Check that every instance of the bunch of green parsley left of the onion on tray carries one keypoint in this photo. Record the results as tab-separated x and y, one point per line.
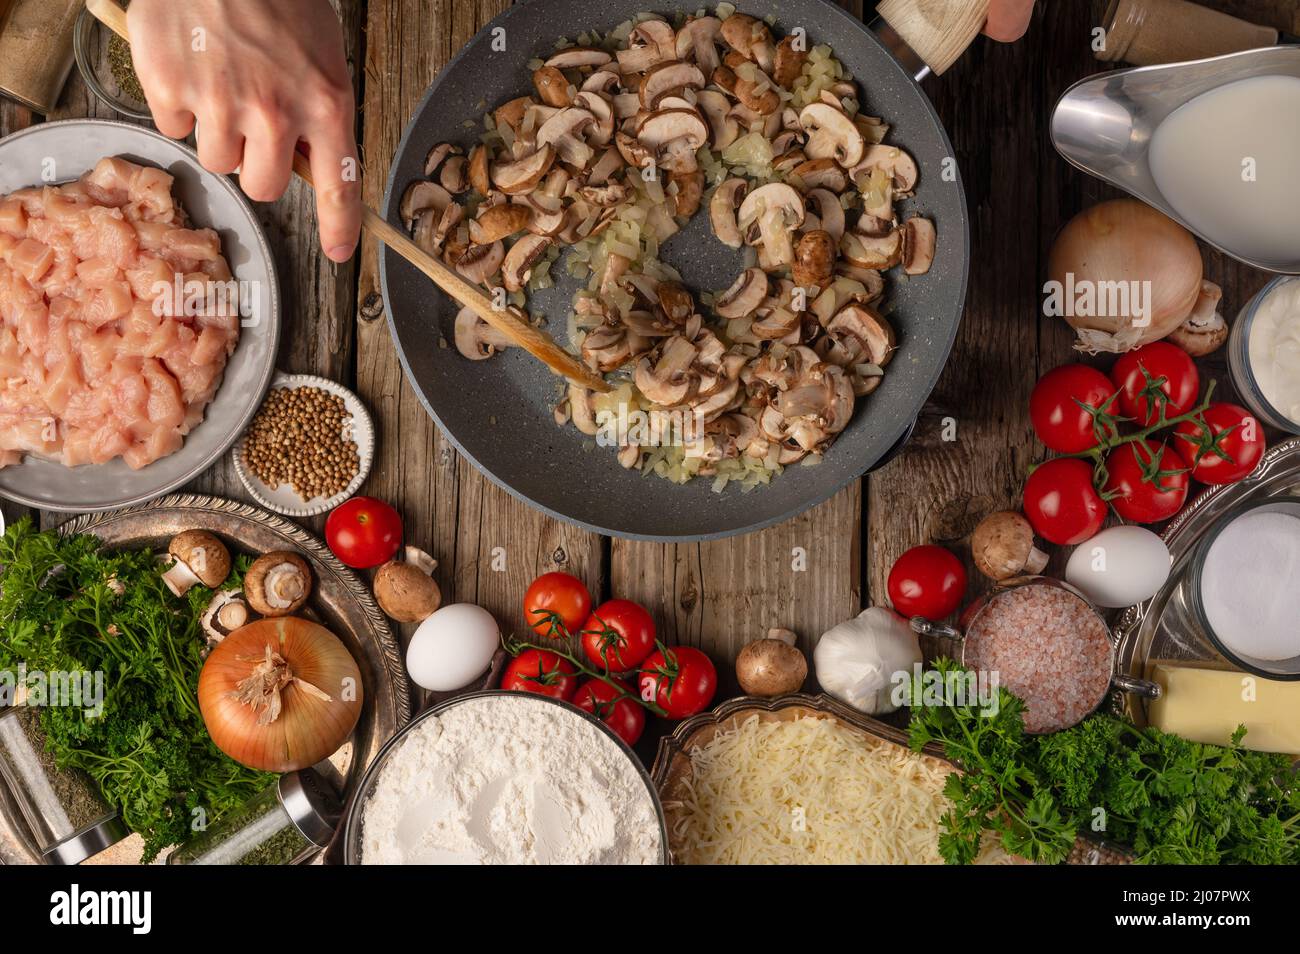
70	605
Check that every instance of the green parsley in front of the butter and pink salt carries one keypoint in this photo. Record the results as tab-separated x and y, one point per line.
1168	800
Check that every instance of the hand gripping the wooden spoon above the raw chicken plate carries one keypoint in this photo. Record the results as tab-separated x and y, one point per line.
259	76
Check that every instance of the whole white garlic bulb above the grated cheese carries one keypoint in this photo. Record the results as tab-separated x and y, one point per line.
856	661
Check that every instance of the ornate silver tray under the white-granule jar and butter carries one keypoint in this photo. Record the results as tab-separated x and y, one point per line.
1163	628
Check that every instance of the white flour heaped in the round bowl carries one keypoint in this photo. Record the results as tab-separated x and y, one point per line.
509	780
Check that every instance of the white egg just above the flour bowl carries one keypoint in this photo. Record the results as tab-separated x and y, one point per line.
453	648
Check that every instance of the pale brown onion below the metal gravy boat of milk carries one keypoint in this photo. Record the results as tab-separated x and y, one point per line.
1128	242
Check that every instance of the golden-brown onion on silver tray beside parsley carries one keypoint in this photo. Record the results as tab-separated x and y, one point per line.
280	695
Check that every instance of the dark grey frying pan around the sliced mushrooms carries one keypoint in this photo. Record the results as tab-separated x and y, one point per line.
500	413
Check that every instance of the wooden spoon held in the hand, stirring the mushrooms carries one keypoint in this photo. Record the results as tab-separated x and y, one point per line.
526	336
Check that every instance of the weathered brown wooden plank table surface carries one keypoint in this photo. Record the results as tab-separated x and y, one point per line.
970	452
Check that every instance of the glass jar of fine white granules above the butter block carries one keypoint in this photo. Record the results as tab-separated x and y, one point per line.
1243	587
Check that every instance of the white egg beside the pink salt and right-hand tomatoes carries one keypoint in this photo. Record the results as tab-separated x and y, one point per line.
1120	567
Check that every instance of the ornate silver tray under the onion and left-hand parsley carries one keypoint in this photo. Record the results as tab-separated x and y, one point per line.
340	602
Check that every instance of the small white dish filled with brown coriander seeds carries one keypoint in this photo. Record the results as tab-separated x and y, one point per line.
309	449
